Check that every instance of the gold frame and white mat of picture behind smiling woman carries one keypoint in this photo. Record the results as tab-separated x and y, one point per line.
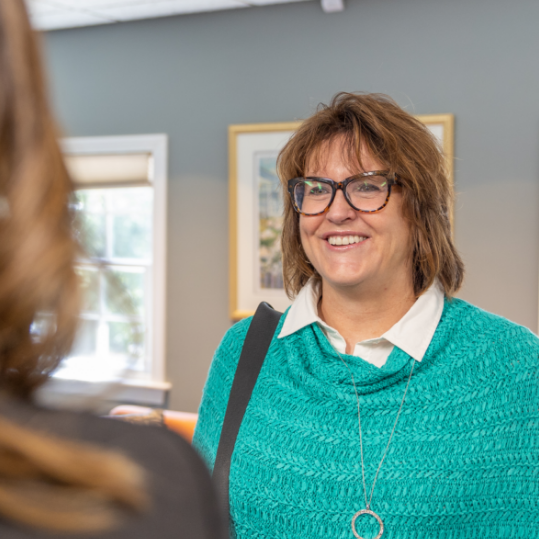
248	146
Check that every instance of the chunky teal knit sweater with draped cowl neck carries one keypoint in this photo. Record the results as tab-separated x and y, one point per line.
464	460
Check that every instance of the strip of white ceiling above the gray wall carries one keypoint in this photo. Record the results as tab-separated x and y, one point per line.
57	14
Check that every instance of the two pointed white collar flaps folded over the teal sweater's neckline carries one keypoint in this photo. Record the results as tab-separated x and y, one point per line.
412	333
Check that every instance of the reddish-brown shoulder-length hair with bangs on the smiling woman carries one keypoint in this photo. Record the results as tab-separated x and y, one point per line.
405	147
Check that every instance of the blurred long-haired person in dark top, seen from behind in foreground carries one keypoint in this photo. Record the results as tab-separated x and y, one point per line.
64	474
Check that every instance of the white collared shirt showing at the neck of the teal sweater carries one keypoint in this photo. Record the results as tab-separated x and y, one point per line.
412	333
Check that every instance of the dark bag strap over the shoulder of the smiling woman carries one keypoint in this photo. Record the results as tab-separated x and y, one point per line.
255	348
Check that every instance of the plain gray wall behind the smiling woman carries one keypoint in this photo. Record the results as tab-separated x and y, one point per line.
191	76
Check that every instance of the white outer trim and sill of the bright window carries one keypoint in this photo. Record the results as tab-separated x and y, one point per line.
153	390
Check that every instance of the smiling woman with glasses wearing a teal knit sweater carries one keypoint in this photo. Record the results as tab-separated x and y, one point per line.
384	405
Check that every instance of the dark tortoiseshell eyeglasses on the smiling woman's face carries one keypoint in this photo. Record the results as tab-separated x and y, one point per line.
367	192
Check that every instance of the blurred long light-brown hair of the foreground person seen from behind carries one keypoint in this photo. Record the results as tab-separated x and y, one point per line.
45	482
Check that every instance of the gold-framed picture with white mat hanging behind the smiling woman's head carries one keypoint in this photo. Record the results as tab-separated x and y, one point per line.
256	207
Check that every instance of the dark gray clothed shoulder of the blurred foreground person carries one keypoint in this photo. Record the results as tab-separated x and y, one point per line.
182	501
